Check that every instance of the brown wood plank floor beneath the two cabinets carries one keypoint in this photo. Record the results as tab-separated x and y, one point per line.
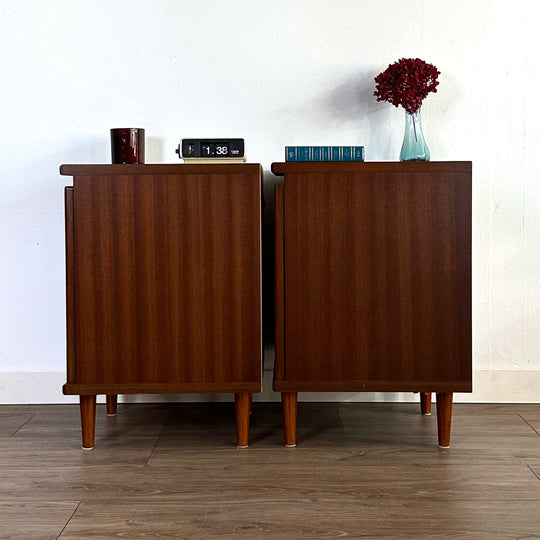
360	470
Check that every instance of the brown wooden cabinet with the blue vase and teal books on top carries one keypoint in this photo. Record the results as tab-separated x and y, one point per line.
373	282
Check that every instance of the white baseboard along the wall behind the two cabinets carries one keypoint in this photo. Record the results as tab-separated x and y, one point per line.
488	387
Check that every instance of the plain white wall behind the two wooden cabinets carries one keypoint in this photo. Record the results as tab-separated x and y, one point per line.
275	72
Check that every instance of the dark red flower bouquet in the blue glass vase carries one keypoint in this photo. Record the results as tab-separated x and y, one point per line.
406	82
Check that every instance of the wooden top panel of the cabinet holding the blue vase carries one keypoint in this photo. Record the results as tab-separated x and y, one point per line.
371	167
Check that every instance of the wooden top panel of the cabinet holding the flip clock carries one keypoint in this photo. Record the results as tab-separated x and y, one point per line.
160	169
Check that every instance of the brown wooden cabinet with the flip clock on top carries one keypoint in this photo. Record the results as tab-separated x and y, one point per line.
163	283
